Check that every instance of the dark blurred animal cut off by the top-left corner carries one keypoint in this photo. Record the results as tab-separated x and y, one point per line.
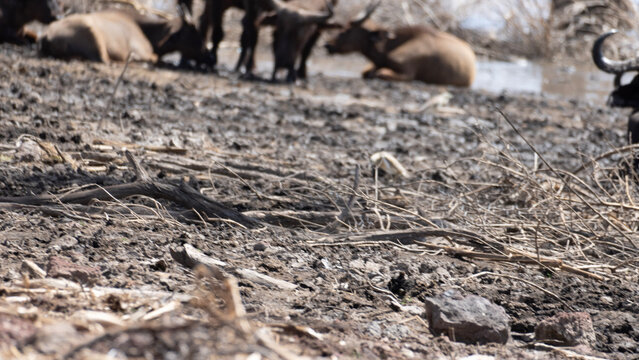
14	14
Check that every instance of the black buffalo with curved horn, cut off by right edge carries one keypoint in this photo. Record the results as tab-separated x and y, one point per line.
623	95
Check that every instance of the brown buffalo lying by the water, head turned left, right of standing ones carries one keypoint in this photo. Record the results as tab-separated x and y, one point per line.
407	53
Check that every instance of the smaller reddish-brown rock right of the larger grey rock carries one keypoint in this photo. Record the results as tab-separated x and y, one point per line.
569	329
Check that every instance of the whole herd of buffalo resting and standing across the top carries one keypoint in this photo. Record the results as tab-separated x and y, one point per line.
402	54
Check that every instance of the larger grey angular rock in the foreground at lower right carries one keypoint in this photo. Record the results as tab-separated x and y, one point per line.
469	319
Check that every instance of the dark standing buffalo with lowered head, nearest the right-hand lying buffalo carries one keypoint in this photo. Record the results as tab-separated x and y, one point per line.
298	25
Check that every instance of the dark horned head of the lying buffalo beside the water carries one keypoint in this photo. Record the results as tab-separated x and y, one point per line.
355	36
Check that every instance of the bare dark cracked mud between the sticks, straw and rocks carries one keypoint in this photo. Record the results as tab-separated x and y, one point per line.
322	128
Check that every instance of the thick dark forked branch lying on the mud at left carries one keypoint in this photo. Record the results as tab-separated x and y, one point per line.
182	194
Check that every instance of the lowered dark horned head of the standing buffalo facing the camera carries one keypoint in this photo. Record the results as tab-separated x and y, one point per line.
293	27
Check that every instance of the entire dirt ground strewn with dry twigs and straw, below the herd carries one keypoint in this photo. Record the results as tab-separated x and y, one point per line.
344	258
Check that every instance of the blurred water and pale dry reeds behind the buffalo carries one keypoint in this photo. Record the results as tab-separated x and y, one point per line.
531	46
